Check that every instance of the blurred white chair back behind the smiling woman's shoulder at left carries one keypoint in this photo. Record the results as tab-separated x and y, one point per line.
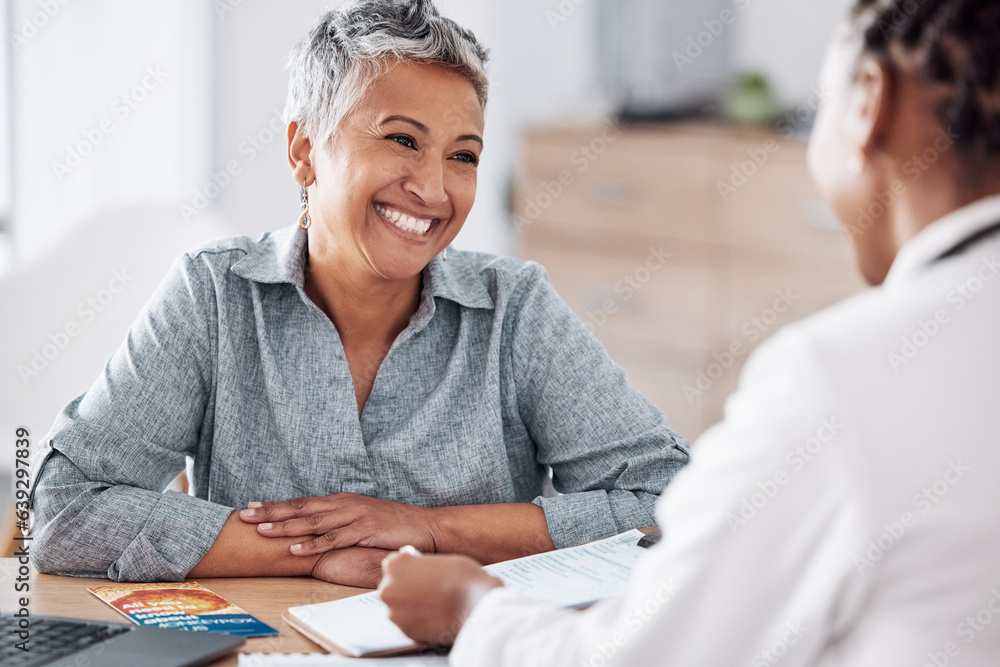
69	310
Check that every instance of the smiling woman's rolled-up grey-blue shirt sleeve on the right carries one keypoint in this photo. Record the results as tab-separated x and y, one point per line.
610	450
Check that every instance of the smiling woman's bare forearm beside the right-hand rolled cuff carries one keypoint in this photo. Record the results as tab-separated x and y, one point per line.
491	533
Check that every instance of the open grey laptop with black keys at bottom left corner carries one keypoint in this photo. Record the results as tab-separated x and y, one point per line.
65	642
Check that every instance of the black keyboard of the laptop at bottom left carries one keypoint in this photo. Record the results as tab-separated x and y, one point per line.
51	639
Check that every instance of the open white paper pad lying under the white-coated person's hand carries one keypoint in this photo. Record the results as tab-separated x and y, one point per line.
575	577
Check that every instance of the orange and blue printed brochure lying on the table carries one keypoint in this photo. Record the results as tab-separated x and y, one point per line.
182	606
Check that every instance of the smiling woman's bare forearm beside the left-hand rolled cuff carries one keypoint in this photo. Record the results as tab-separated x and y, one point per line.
240	551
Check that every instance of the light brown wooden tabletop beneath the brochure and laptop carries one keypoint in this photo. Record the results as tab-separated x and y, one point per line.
264	597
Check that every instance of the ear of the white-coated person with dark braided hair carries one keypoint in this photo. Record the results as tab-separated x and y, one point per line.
871	110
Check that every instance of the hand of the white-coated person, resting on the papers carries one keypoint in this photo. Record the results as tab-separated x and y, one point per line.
430	597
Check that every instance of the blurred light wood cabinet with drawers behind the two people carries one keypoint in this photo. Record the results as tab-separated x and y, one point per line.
682	248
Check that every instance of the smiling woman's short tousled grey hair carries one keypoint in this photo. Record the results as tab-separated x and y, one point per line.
350	47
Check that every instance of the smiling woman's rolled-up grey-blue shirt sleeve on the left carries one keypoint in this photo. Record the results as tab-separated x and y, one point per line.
98	501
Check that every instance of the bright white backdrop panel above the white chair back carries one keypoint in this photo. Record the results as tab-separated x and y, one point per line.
110	98
